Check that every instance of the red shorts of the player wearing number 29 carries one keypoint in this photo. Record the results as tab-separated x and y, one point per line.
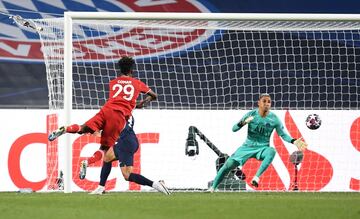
111	122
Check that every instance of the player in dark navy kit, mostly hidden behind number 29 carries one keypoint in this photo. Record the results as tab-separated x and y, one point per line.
124	150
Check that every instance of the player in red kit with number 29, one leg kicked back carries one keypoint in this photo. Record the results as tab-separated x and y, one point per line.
111	119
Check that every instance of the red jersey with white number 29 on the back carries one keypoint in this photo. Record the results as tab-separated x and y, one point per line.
124	91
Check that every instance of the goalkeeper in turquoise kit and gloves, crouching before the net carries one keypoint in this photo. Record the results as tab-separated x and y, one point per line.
261	123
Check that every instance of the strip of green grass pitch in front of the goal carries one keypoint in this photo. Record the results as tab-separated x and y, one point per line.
180	205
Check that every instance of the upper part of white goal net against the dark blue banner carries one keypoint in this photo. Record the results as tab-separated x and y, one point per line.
304	65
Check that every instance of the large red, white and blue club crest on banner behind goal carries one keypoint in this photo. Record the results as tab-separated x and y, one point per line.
23	44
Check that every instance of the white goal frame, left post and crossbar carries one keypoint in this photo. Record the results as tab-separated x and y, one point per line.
68	47
